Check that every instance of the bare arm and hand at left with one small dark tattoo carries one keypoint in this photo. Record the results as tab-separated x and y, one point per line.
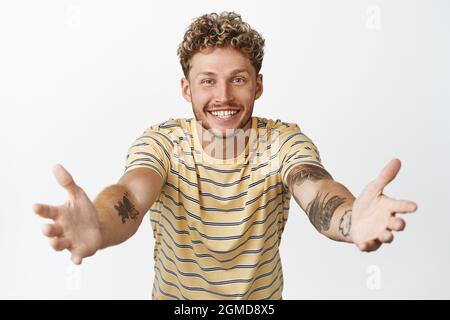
83	227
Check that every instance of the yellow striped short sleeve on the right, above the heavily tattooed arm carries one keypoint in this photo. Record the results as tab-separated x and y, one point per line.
296	148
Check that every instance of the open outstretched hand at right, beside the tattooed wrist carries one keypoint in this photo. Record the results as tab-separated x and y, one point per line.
374	215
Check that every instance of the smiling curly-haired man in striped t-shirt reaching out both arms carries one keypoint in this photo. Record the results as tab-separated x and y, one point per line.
218	188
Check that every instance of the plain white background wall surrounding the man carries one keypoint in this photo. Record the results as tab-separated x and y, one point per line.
366	81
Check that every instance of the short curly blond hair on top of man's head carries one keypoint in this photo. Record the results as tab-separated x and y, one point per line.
226	29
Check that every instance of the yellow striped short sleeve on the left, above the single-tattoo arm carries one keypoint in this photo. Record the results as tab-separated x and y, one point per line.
151	150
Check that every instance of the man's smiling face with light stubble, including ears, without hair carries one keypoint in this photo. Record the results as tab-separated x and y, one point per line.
222	87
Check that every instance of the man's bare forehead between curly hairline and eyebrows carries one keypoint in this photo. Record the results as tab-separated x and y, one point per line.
219	60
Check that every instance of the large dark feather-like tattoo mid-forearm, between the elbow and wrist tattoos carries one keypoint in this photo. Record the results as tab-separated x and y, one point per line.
320	211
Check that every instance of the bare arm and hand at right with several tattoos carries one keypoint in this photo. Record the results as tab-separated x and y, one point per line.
367	221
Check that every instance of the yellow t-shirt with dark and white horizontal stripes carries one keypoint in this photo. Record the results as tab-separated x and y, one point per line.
218	223
